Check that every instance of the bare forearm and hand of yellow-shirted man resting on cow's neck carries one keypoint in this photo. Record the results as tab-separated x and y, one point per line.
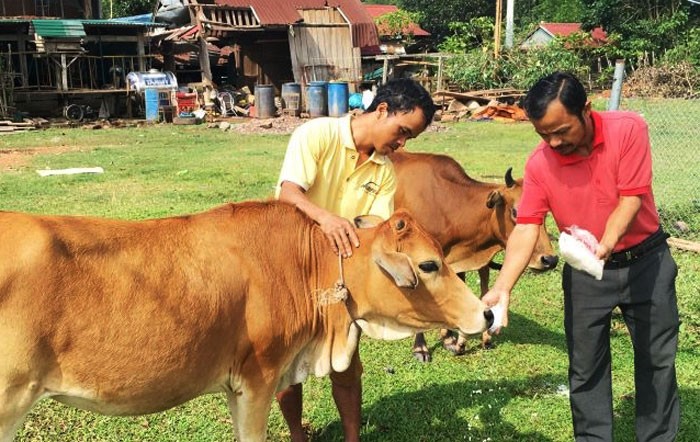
339	231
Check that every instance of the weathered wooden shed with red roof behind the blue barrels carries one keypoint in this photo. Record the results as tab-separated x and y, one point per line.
272	42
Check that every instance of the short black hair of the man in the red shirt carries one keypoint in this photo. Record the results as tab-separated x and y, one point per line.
558	85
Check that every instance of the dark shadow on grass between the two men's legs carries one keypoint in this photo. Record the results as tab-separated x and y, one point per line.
442	413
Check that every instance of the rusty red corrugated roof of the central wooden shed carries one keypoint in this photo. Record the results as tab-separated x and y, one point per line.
282	13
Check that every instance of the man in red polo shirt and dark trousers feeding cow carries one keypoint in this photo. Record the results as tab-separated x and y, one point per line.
593	170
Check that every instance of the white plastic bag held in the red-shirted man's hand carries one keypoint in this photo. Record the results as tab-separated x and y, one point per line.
578	249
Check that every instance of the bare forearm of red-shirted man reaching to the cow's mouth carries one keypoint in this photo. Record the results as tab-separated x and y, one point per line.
521	244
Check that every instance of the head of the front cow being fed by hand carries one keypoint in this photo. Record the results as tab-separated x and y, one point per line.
402	284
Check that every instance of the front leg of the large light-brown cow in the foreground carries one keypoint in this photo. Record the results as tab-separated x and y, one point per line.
250	410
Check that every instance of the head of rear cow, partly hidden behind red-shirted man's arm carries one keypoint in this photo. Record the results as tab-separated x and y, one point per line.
504	203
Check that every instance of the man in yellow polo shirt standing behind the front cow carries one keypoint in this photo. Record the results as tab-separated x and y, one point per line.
334	170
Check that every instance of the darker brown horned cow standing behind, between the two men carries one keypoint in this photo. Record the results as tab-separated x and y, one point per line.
470	219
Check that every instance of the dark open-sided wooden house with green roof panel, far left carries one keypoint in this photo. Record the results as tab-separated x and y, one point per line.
57	52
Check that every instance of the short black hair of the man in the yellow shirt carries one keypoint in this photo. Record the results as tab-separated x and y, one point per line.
404	95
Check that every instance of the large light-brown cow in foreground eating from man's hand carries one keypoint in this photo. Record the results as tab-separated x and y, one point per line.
125	318
